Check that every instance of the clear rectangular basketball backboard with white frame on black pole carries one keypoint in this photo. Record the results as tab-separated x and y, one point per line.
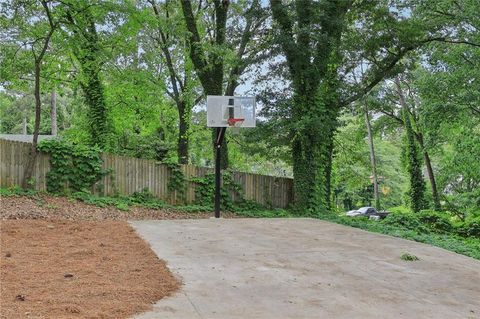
218	112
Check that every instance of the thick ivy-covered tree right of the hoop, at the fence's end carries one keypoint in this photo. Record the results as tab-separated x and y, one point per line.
324	43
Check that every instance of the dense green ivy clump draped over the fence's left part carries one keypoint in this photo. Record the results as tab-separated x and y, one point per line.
73	167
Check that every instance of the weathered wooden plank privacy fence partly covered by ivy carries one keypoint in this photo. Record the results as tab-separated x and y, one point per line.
129	175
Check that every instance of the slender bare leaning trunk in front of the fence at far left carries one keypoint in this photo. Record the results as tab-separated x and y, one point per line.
27	177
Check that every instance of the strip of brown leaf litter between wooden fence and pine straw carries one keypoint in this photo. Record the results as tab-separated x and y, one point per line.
44	206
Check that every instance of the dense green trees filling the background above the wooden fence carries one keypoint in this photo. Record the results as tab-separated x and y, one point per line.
361	102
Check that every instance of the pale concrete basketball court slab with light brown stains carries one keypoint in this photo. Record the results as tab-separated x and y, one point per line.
306	268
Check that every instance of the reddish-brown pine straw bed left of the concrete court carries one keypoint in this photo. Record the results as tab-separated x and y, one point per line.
76	269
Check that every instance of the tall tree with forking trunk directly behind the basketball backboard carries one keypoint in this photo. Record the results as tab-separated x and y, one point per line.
210	49
